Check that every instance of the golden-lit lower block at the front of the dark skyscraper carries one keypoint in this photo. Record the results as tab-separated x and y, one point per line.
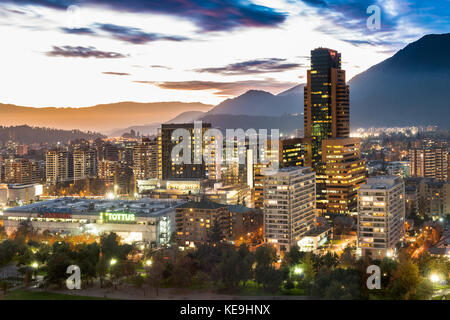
344	174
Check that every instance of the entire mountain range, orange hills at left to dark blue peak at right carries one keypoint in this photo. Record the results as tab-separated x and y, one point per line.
410	88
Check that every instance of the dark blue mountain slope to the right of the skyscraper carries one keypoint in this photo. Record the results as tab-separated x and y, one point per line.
410	88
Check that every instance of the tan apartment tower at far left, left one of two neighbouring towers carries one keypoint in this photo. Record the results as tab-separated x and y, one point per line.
57	166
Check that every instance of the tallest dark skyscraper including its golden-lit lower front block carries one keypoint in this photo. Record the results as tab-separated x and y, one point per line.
327	117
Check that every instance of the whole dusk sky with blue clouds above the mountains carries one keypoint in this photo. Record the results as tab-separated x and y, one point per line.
66	53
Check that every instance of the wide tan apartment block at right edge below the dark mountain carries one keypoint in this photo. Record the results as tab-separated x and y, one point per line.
429	163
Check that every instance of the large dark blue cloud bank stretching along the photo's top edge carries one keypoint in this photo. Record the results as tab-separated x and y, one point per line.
208	15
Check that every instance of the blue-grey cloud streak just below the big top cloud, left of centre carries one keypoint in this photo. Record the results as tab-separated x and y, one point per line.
136	35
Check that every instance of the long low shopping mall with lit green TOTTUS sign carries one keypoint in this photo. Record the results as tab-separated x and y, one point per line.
147	220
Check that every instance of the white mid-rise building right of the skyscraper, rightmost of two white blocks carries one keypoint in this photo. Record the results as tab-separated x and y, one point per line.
381	216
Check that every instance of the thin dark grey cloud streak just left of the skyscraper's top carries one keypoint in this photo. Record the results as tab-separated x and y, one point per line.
253	67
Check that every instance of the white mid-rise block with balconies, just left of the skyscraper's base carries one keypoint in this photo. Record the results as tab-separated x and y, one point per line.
289	206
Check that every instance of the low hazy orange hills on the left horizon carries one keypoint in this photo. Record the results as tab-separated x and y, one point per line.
100	118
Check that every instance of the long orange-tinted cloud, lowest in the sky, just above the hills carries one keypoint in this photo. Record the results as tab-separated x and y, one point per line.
224	88
